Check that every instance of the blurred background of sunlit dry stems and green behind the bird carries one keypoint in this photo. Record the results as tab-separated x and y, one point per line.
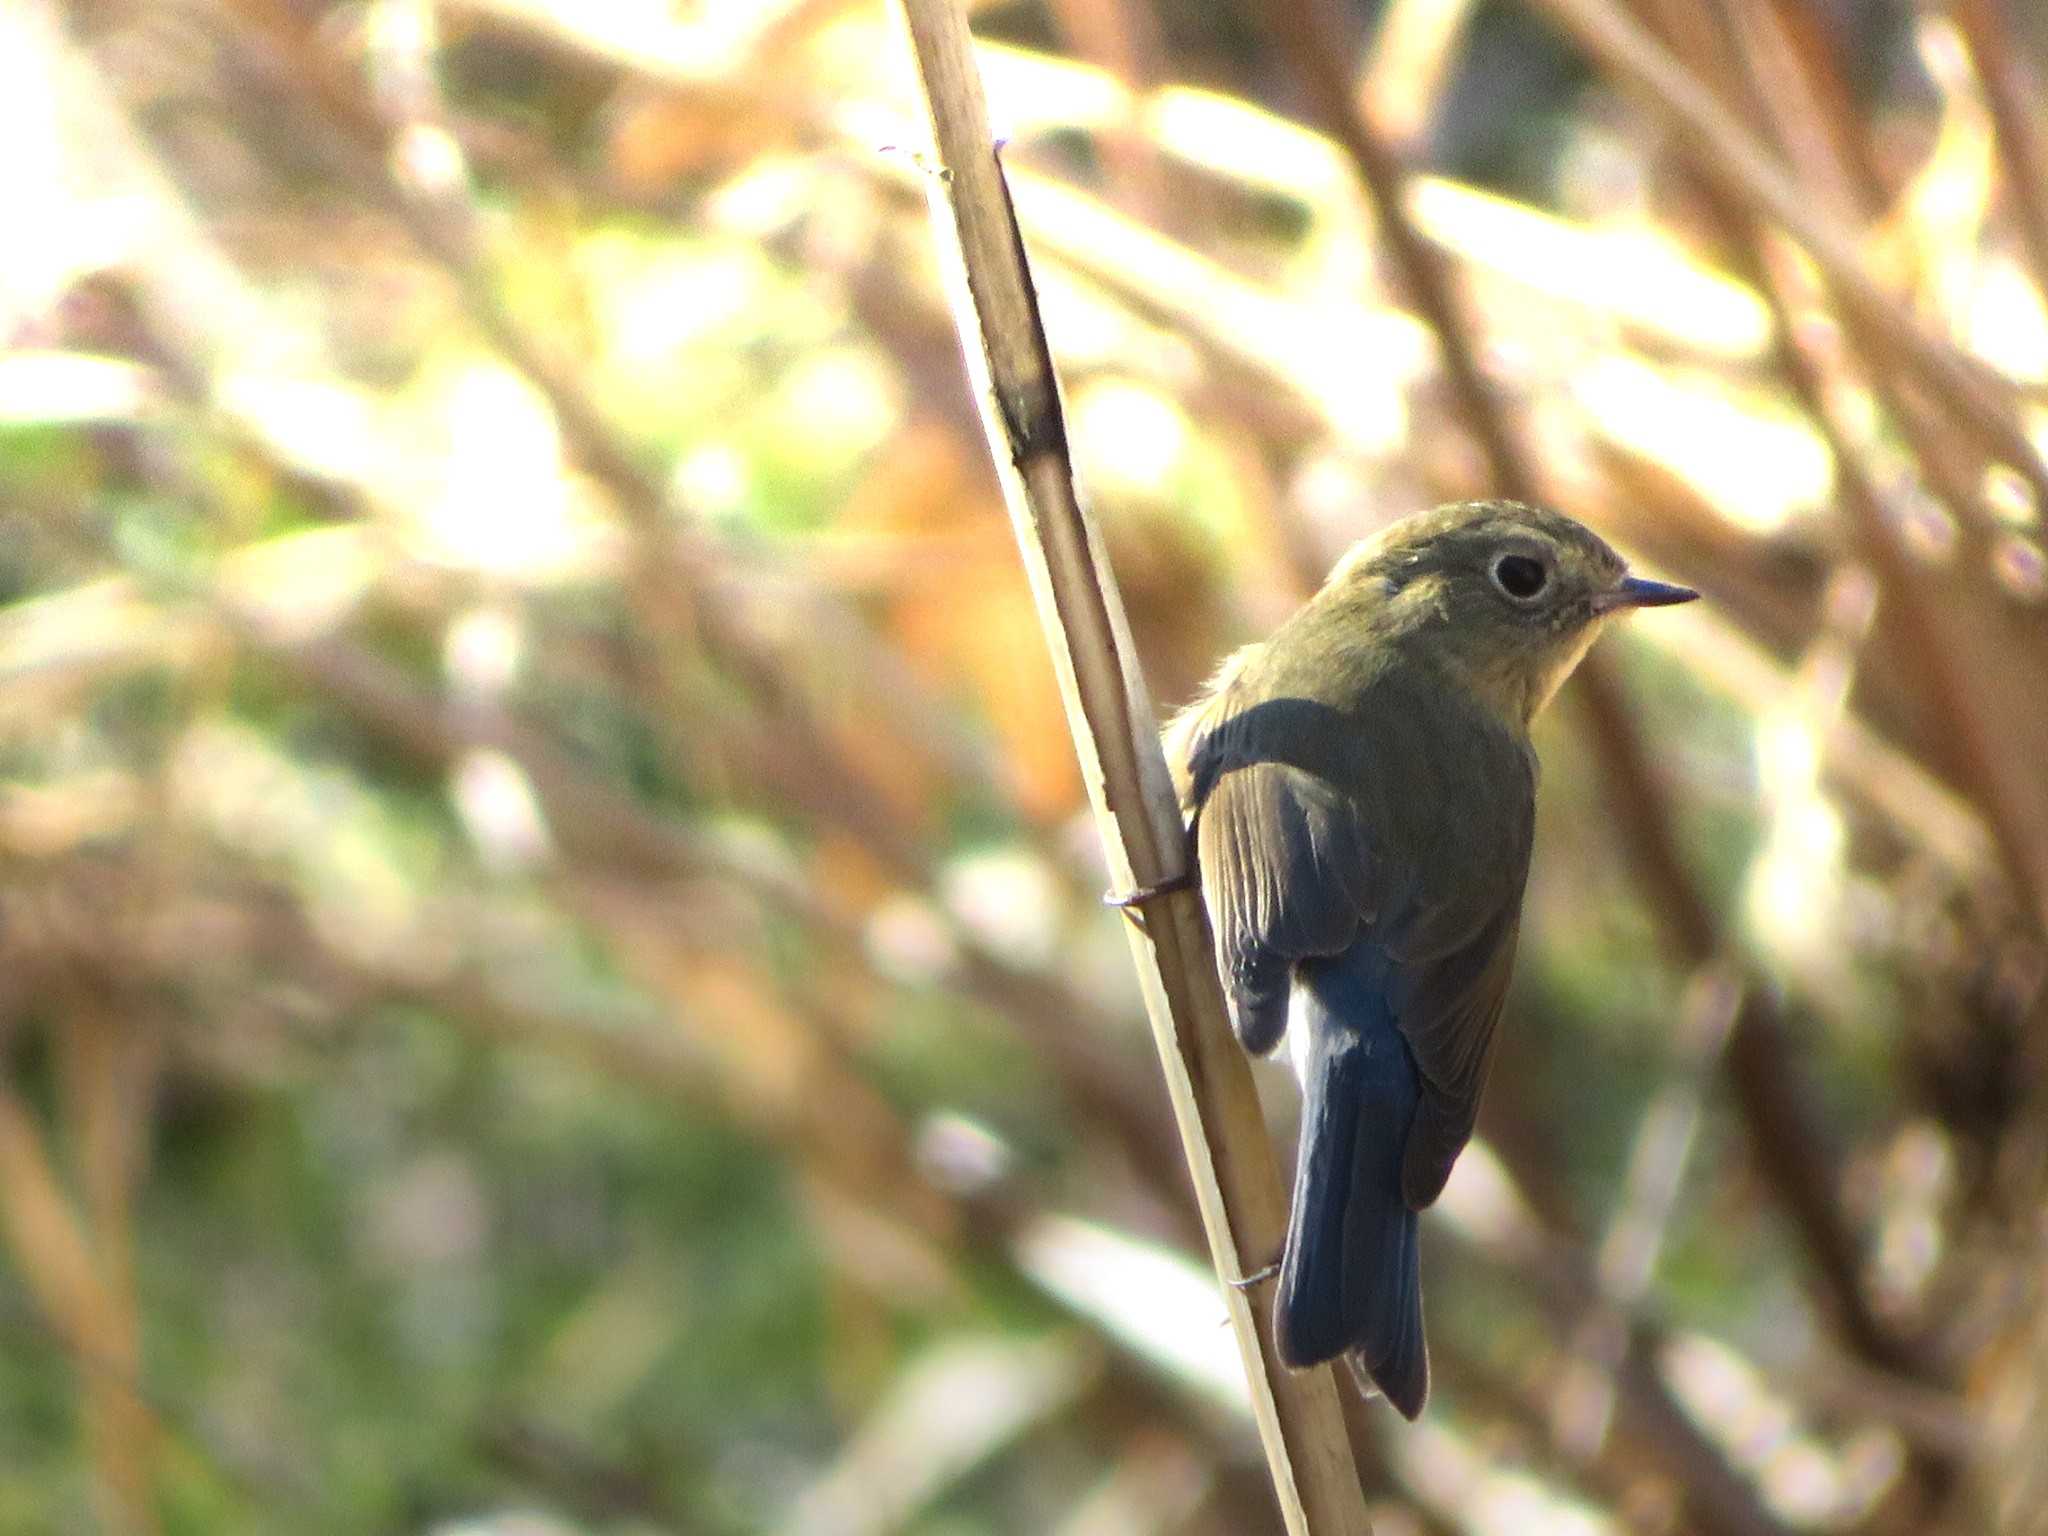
552	974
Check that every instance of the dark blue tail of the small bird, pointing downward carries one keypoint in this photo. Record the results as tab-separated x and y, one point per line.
1351	1281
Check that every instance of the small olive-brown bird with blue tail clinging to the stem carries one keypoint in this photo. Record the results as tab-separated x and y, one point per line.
1363	794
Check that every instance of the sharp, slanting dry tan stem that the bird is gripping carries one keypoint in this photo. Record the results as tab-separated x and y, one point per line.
1224	1132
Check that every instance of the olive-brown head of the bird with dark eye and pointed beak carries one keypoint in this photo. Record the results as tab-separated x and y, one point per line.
1506	597
